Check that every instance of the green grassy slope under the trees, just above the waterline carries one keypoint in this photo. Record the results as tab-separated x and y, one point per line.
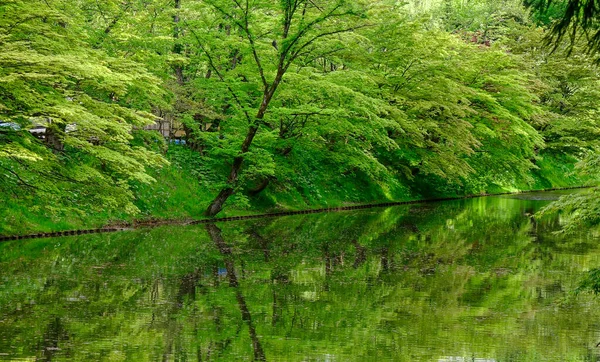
178	194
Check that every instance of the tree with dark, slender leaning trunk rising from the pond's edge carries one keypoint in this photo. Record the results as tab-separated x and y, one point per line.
267	40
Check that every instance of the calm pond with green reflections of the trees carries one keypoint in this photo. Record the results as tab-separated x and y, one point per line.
469	280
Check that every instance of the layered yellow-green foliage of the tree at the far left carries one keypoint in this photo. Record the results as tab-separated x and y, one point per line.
89	102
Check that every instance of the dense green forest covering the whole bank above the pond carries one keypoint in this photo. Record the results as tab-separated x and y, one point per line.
134	109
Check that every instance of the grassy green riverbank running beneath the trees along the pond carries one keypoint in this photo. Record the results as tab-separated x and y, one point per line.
183	190
